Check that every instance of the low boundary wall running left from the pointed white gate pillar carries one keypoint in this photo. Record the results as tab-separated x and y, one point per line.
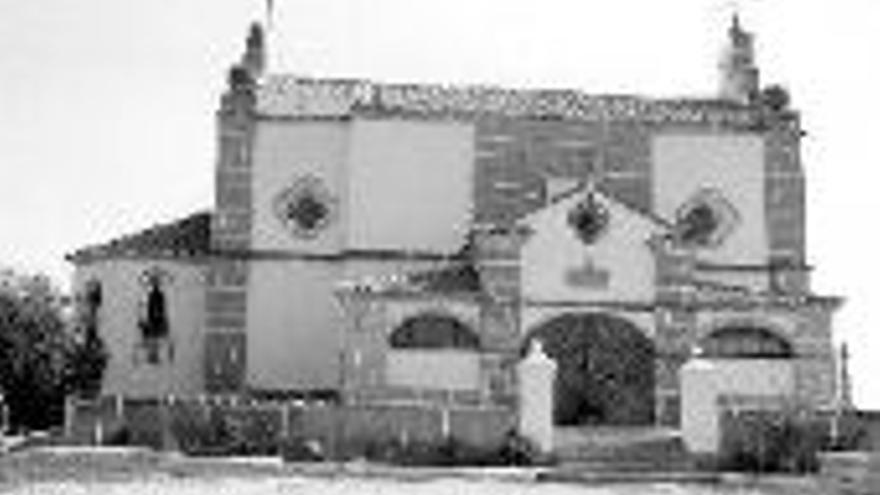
202	423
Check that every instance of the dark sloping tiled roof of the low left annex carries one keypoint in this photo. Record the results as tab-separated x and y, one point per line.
187	237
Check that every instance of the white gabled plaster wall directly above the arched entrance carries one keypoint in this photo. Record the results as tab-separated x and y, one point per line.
554	249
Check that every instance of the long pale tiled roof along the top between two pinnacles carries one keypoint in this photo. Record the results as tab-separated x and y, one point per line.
299	97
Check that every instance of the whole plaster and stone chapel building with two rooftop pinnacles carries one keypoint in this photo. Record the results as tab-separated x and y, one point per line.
381	242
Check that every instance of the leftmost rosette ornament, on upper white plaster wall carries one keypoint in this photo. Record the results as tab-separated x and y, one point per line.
305	208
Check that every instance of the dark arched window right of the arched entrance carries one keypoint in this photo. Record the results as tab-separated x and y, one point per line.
743	341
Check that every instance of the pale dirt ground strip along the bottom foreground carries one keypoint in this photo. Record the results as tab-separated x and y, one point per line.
133	472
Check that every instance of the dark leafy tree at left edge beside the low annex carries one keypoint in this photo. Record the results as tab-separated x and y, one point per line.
42	357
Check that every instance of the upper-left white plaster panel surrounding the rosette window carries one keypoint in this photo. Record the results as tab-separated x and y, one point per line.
283	152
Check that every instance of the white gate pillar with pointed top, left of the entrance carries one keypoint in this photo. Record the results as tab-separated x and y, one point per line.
537	373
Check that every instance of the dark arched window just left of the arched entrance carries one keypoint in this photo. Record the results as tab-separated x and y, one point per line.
433	332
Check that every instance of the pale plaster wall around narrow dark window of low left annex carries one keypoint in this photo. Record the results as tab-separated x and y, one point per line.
123	296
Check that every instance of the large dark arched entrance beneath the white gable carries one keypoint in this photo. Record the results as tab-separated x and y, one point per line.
605	373
